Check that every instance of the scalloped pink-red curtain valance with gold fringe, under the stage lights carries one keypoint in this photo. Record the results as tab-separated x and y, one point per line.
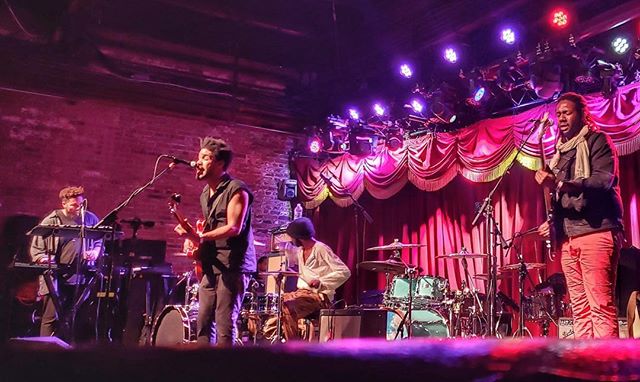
480	153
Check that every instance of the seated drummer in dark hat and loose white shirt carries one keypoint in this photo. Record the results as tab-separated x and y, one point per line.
320	273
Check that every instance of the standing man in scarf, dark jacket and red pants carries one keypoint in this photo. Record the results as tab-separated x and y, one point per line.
587	216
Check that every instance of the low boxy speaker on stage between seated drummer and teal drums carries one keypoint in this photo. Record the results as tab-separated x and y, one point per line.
353	323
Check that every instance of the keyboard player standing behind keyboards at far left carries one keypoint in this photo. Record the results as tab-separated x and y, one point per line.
63	250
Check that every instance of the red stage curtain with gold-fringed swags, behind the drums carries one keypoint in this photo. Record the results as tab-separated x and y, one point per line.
441	219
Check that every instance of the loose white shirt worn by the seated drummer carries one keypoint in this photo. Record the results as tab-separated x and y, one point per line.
322	264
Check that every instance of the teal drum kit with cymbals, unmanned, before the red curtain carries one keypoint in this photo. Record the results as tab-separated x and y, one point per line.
434	310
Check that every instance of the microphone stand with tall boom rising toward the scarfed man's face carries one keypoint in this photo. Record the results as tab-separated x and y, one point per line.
492	232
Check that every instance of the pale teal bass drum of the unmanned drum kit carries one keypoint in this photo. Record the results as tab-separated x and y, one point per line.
425	323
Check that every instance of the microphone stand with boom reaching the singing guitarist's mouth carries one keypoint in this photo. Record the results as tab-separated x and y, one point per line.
110	220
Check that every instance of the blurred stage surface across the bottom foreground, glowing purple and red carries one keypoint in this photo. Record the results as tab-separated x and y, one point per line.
345	360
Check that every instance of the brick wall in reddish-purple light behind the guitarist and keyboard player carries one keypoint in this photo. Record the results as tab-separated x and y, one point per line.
47	143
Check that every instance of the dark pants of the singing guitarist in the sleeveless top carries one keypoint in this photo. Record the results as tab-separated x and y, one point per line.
220	298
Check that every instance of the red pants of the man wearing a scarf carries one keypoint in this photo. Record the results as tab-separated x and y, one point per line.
589	264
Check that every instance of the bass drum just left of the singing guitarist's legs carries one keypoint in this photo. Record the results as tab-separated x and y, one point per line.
176	325
